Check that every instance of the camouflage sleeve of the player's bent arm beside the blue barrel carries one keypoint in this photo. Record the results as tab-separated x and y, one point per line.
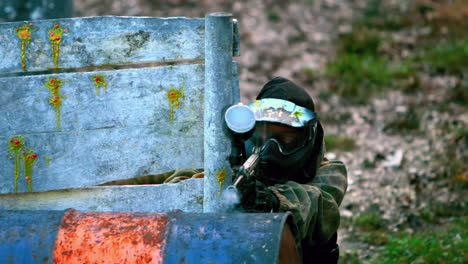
314	206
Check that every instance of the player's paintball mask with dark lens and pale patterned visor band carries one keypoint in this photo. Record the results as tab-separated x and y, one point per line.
286	135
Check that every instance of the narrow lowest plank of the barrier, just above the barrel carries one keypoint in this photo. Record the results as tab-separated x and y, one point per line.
186	196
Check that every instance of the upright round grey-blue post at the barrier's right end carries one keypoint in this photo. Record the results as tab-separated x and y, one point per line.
218	94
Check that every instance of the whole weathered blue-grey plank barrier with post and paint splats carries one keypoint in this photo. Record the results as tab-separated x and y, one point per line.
67	124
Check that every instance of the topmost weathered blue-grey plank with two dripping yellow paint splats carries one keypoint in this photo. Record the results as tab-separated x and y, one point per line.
96	41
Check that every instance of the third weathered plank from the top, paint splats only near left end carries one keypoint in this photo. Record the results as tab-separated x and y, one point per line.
88	157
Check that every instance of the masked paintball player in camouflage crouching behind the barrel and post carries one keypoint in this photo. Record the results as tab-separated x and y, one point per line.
294	175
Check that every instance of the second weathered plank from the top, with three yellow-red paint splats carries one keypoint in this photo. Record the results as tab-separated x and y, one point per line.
133	97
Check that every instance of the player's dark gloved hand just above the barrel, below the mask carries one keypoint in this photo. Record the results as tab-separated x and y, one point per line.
256	197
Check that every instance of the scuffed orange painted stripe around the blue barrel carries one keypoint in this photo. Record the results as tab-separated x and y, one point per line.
110	237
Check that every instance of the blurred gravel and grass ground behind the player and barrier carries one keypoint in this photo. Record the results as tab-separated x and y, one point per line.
390	80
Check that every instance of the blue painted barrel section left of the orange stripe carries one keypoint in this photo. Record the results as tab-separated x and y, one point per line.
28	236
